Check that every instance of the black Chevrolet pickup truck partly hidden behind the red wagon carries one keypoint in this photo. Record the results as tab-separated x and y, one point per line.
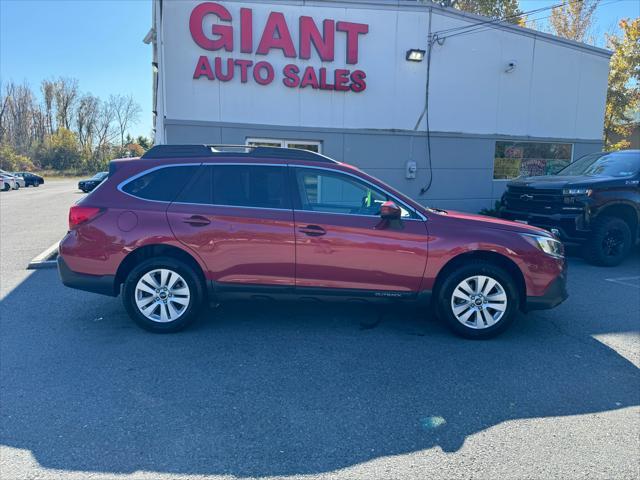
593	202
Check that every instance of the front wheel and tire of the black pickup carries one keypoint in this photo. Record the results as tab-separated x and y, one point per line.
609	243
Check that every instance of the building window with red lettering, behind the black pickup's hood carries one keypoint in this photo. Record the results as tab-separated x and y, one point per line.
514	159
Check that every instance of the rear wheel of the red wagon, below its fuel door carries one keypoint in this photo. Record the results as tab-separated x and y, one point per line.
159	312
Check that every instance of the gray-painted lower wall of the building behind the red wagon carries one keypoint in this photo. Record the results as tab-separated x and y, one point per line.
462	163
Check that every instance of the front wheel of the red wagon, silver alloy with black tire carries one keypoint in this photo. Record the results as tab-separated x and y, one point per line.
473	276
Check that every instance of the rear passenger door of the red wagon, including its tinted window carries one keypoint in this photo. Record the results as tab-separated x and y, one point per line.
239	219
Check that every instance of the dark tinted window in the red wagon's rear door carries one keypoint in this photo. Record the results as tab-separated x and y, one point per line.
251	186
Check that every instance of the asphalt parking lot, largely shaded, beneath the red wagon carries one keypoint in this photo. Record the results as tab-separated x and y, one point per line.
320	391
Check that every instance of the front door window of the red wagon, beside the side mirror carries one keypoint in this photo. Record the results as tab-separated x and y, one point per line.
322	191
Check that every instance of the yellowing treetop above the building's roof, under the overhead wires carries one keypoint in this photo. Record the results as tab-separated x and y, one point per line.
573	19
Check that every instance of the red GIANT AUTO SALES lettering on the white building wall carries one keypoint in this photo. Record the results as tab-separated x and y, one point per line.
276	36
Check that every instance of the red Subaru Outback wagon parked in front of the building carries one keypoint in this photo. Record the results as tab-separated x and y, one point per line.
189	223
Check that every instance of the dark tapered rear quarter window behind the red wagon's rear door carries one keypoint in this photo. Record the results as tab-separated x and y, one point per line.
162	184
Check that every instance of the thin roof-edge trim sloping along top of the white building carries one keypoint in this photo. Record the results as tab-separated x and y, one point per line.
434	7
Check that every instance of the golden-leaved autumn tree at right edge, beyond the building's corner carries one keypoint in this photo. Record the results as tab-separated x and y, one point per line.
623	94
